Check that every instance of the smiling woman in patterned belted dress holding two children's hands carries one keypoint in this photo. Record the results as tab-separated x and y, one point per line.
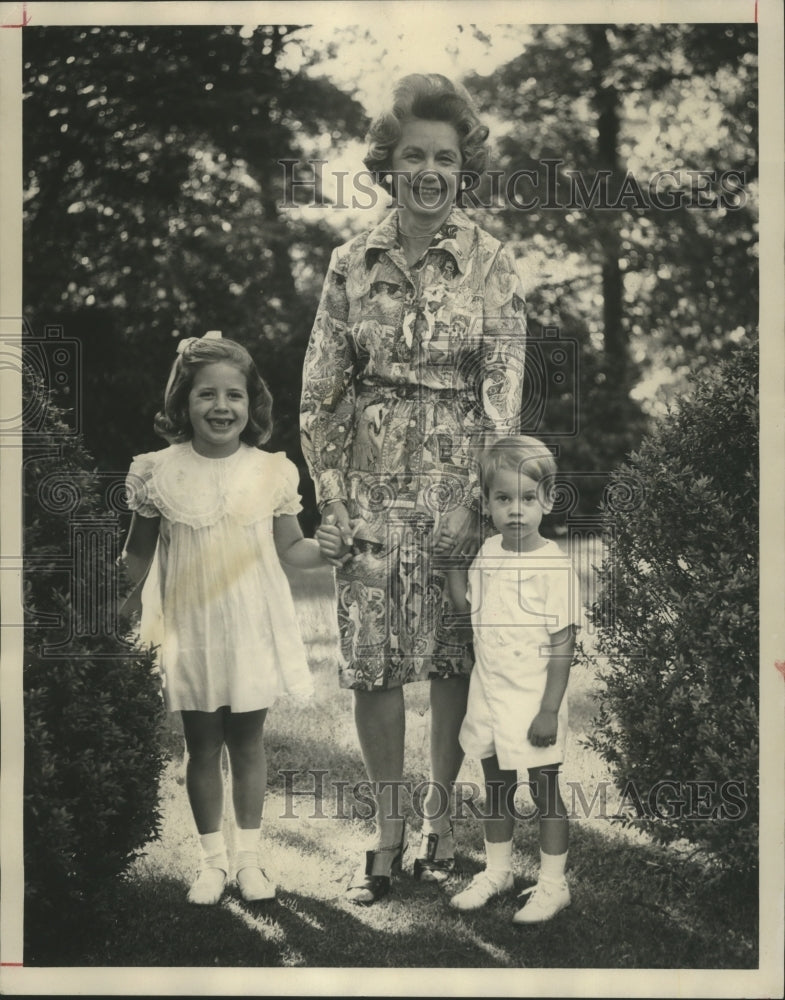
416	354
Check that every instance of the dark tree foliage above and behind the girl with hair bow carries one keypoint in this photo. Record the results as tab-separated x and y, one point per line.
153	185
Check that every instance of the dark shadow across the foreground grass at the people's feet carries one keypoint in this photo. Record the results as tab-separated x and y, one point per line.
627	912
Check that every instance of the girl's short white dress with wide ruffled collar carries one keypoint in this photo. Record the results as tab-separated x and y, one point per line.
217	601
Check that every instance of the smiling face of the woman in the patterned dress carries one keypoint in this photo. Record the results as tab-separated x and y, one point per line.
426	166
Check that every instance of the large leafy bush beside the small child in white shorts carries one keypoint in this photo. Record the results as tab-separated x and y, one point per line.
678	622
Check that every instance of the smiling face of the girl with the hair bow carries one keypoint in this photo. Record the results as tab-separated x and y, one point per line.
218	409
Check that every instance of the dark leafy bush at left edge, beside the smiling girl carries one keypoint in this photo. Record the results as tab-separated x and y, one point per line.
93	748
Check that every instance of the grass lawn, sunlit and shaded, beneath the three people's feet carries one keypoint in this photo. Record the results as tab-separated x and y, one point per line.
635	906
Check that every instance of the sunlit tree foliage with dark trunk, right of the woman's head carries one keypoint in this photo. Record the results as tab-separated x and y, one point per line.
648	293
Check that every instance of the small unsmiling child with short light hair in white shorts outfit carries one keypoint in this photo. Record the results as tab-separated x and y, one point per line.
524	602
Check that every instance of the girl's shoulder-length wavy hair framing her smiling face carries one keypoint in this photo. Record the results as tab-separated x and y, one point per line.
172	421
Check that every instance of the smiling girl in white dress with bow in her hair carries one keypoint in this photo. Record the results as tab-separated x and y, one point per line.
213	514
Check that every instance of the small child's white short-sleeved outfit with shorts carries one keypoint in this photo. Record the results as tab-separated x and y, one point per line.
518	600
